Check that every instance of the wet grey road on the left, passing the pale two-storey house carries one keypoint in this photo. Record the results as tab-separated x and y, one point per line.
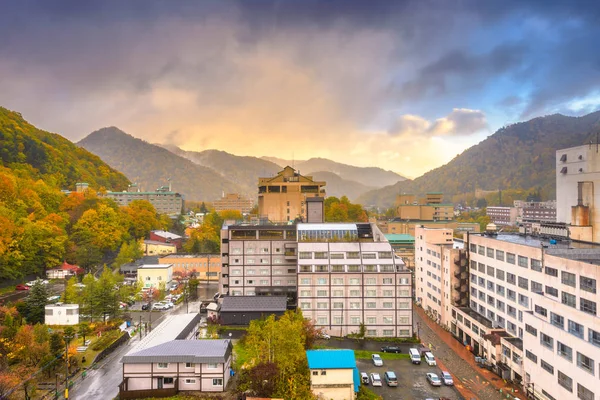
103	382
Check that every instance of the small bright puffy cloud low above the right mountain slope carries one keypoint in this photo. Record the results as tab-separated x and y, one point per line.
460	122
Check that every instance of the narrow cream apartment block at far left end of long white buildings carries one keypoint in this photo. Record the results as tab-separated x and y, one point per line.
440	273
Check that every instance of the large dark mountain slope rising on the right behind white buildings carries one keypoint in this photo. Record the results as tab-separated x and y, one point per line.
519	156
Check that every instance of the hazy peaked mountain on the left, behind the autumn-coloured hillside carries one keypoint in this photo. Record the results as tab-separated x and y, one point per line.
151	166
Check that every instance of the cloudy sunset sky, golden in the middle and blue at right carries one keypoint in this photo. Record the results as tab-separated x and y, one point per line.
401	85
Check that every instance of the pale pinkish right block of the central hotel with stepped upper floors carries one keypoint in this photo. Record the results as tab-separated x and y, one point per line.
348	275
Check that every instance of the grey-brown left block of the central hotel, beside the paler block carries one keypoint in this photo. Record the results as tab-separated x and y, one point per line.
259	260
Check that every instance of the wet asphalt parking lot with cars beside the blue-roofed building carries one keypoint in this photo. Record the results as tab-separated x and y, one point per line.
412	382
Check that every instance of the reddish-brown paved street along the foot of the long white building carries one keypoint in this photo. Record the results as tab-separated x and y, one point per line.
488	377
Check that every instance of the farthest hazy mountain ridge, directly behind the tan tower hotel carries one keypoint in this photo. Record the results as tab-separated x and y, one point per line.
368	176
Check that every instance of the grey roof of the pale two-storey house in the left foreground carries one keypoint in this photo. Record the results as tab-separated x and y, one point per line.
193	351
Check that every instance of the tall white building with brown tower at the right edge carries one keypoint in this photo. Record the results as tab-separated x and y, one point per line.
577	201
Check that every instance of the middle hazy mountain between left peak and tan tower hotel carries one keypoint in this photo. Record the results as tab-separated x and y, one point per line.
242	170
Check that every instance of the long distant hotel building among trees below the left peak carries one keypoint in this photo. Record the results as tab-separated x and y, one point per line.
163	199
